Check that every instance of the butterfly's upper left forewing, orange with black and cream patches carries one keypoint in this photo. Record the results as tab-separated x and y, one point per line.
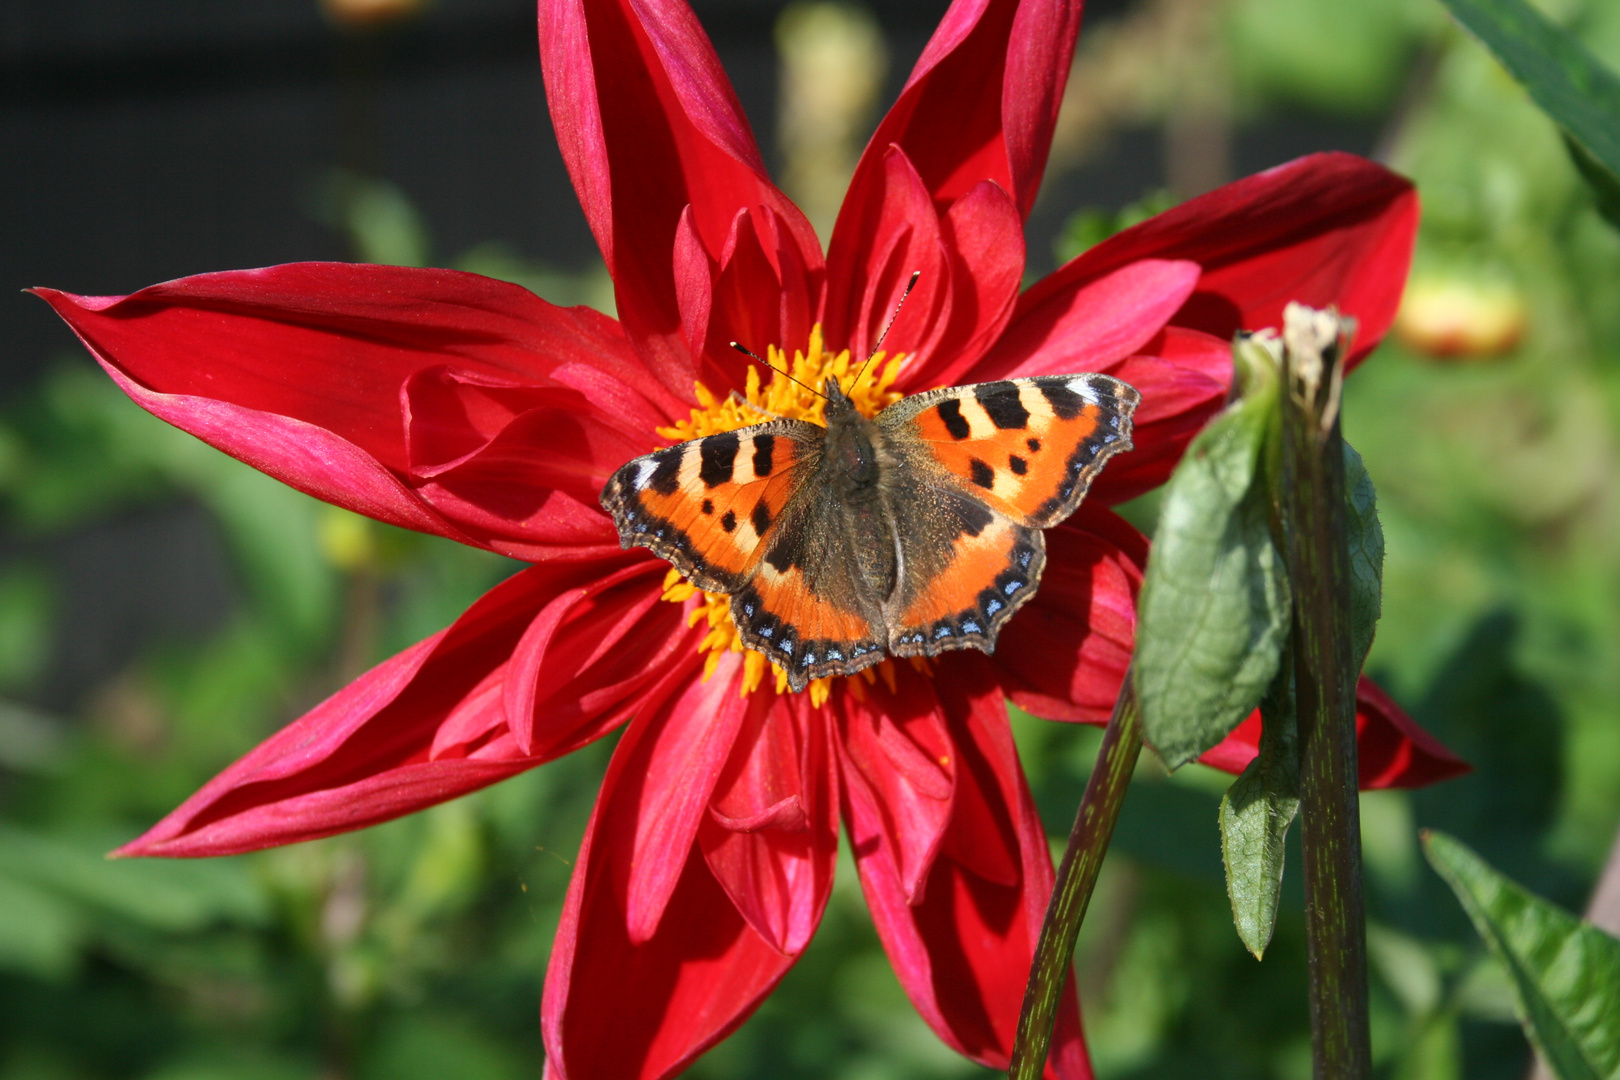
707	504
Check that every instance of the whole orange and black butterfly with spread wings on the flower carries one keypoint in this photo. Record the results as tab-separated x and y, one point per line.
908	534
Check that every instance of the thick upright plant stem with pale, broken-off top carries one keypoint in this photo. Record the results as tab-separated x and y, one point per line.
1313	496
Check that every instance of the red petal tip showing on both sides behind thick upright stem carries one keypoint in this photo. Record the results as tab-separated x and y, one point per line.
1392	749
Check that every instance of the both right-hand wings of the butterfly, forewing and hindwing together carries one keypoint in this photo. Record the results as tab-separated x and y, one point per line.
991	467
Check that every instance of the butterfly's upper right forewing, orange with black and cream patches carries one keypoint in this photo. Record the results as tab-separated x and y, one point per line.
1025	448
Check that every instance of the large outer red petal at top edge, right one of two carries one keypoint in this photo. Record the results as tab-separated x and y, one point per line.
983	101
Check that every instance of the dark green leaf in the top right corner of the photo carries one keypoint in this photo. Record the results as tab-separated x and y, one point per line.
1562	77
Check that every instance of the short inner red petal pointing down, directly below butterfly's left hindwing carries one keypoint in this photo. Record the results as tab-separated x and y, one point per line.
772	836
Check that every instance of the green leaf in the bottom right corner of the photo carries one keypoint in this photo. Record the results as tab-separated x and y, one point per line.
1566	972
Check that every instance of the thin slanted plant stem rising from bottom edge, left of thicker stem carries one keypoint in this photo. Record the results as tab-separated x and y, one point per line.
1094	825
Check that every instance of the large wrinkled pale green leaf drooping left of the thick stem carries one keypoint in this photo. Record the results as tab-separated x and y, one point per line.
1214	606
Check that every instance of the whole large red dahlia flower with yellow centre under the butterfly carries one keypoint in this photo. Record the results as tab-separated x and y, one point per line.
471	409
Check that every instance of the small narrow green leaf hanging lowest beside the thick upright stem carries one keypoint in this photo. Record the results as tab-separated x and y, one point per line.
1255	819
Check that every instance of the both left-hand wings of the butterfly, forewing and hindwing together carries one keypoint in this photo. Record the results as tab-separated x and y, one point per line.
746	512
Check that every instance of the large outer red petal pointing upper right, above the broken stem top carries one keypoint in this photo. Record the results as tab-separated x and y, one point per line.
1329	229
